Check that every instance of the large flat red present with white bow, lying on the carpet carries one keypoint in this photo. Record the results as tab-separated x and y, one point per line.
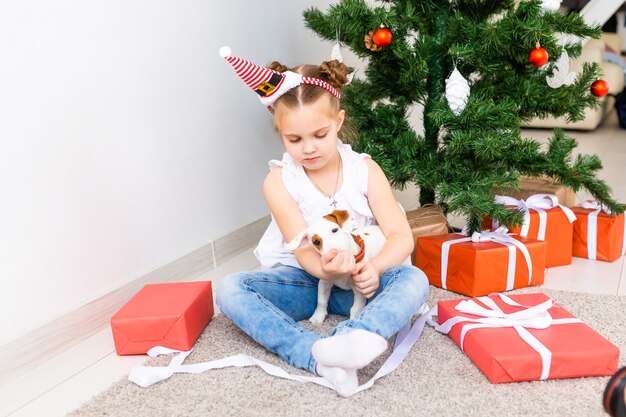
525	337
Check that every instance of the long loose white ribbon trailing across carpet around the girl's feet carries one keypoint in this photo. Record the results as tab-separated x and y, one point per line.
144	376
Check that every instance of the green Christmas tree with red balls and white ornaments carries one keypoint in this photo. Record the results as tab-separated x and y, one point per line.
479	68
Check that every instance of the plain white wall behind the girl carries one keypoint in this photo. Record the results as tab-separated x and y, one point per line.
126	141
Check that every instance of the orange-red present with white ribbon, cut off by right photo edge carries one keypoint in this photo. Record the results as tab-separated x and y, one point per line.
598	235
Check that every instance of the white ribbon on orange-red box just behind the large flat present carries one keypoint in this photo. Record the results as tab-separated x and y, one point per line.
498	236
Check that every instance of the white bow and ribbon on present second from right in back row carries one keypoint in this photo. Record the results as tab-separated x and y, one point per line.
540	203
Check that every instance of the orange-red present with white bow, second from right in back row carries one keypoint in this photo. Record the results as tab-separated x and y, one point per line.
546	219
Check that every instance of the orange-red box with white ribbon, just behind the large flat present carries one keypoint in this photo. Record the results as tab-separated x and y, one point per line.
484	263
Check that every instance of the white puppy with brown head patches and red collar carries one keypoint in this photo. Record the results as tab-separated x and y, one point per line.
335	231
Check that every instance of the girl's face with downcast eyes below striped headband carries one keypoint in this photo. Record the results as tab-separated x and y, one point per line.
309	132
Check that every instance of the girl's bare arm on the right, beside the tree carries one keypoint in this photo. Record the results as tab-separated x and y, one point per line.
391	219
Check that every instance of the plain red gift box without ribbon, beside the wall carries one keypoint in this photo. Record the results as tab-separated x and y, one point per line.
171	315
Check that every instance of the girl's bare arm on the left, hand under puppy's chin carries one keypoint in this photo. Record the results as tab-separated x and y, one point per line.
291	222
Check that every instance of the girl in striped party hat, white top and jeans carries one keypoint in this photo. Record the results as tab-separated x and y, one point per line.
317	175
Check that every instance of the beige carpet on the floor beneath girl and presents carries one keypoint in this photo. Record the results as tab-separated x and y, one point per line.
435	379
